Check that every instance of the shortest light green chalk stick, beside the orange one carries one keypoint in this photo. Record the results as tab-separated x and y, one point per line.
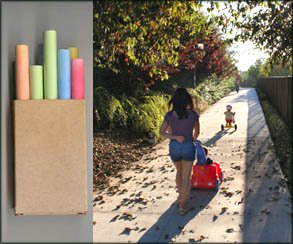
36	81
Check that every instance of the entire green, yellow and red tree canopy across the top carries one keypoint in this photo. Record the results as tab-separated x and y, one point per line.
145	41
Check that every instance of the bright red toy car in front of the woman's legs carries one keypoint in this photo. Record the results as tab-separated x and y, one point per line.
207	176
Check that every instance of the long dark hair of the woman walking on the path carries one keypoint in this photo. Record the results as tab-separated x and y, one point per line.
180	102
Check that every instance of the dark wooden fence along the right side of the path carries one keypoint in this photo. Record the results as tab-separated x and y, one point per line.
279	92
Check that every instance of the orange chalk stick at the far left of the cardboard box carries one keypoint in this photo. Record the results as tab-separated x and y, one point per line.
22	72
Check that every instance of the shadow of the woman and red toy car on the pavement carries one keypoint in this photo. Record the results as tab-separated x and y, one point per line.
171	224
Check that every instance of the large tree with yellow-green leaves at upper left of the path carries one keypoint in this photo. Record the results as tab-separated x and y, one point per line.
141	40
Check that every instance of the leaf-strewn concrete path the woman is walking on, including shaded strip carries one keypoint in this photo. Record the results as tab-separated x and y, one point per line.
252	205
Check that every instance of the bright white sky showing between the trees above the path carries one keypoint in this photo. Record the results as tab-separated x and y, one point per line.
245	53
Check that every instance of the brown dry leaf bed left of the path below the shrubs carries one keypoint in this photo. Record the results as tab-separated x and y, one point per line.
114	152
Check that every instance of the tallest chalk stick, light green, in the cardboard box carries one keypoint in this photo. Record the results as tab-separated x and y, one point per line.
50	64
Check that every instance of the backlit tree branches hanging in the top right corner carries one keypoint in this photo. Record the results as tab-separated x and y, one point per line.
267	23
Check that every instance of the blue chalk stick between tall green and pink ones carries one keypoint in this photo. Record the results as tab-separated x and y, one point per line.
64	89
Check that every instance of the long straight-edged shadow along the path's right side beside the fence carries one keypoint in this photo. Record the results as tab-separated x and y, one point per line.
266	204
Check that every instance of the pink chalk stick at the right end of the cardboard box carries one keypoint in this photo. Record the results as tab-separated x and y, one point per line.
77	78
